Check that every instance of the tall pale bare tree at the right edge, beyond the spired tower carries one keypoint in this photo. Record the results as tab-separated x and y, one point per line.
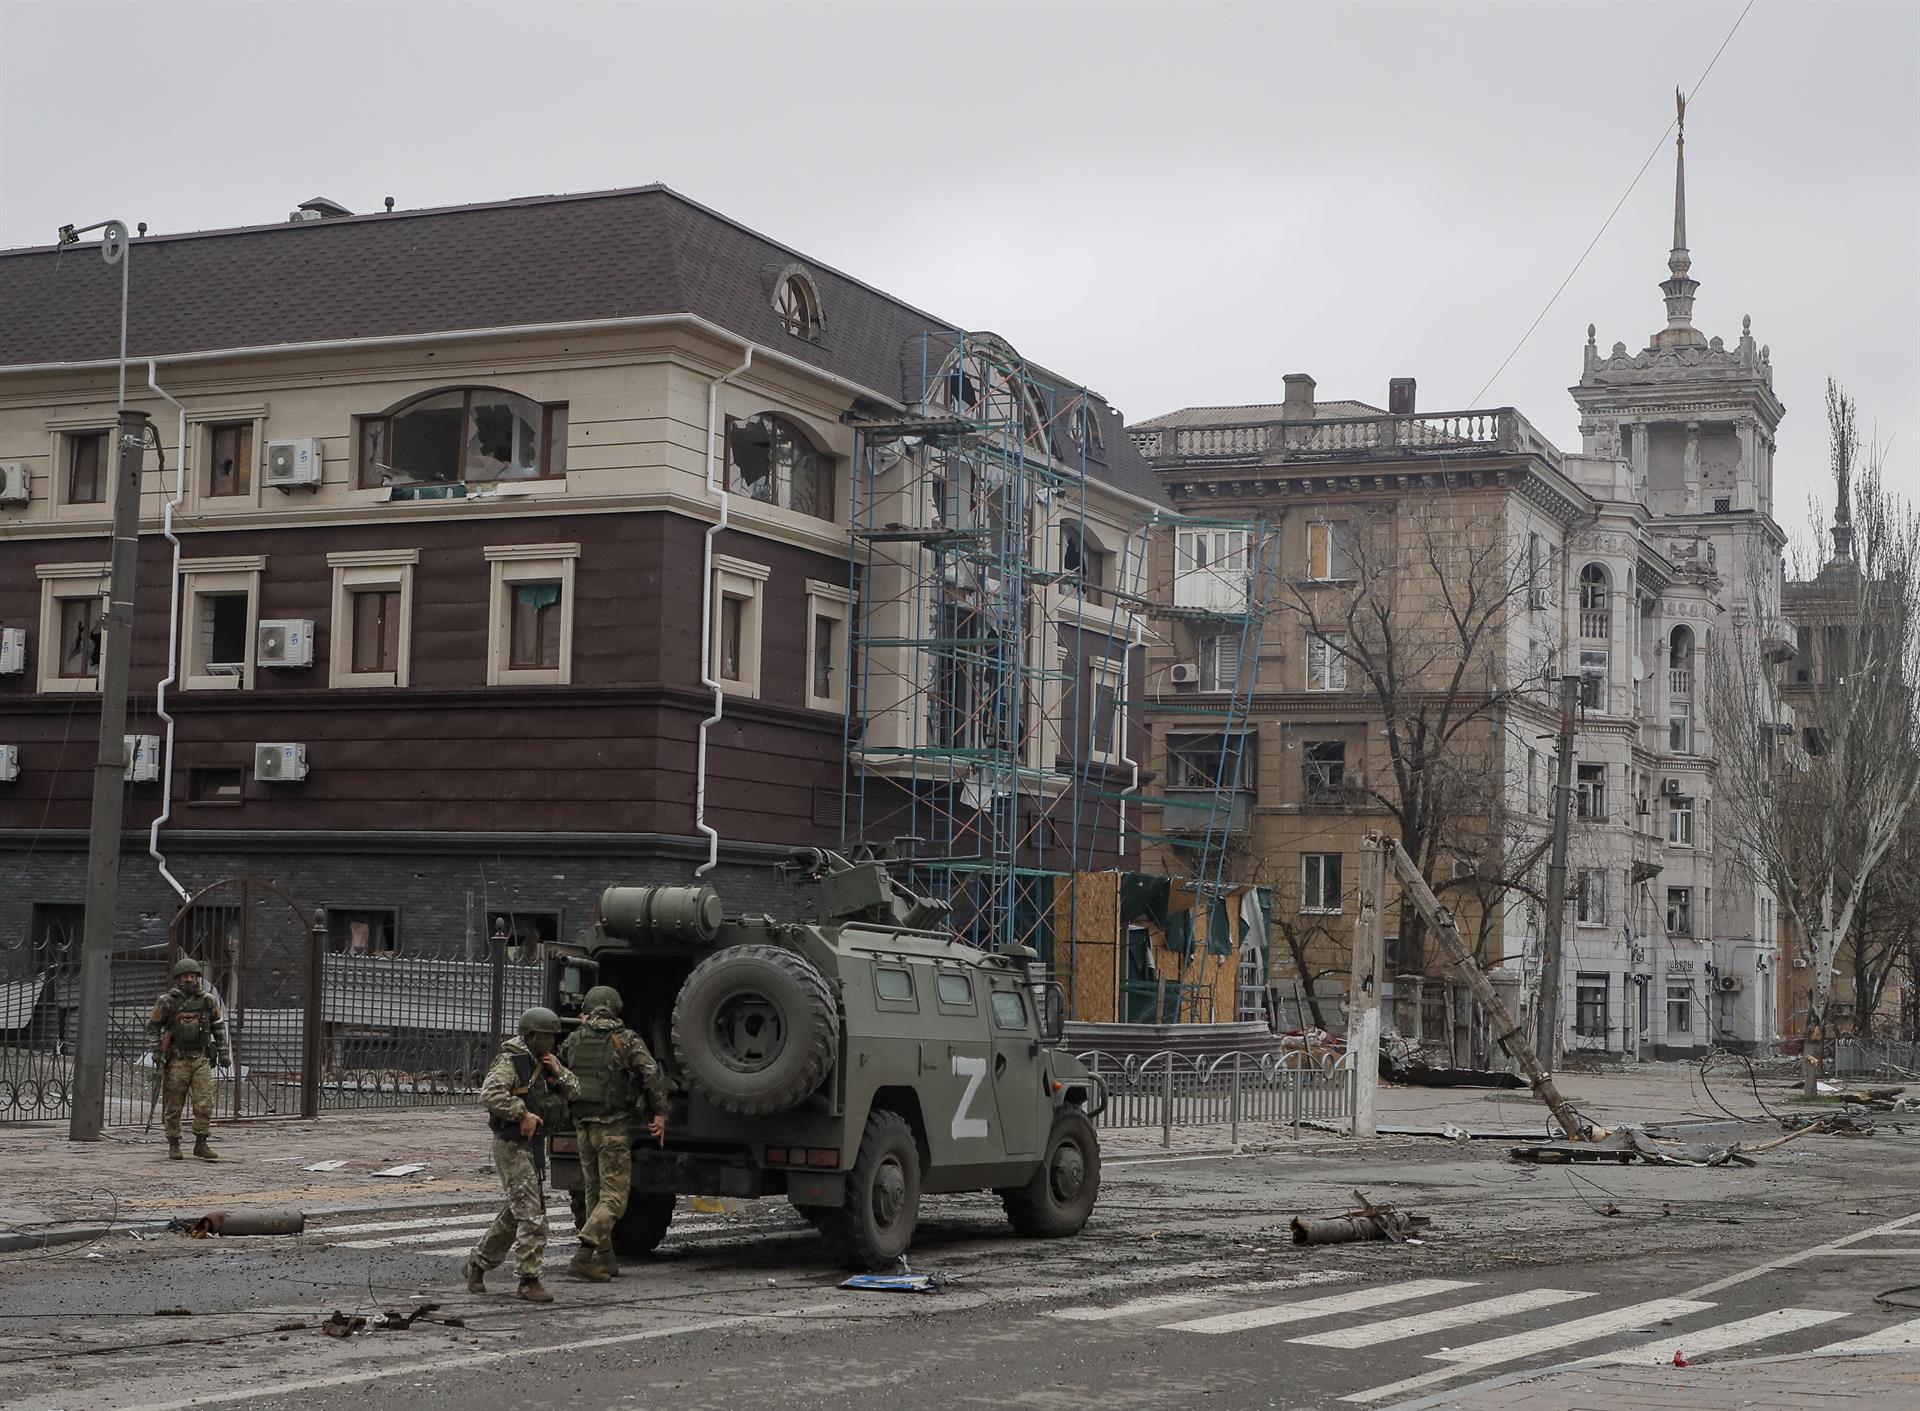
1817	817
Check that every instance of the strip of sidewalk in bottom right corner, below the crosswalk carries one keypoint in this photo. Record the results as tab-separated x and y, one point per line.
1810	1383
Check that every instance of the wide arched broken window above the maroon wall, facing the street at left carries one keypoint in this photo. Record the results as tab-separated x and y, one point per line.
464	437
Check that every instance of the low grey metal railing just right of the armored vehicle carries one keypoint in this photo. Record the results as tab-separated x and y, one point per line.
1220	1091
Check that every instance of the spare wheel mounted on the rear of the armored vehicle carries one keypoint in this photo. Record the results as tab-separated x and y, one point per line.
756	1030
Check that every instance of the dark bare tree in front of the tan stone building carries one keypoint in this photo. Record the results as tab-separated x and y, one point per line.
1418	623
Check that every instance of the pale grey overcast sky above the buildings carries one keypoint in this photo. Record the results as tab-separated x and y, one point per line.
1174	204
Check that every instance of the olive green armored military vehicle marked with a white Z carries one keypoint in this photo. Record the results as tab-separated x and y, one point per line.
850	1064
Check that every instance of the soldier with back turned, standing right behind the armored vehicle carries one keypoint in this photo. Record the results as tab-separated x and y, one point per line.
615	1072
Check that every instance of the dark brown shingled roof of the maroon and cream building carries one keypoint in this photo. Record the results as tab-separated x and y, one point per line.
510	264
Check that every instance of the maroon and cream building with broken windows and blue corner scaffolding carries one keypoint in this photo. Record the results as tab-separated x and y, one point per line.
539	546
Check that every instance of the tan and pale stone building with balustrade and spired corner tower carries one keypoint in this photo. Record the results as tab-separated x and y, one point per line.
1433	579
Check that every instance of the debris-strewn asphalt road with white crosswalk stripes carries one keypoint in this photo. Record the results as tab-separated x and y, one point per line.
1184	1293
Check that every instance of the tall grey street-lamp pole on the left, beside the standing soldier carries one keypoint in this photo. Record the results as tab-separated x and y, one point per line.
87	1114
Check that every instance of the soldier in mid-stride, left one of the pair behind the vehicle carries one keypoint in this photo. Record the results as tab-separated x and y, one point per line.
523	1093
